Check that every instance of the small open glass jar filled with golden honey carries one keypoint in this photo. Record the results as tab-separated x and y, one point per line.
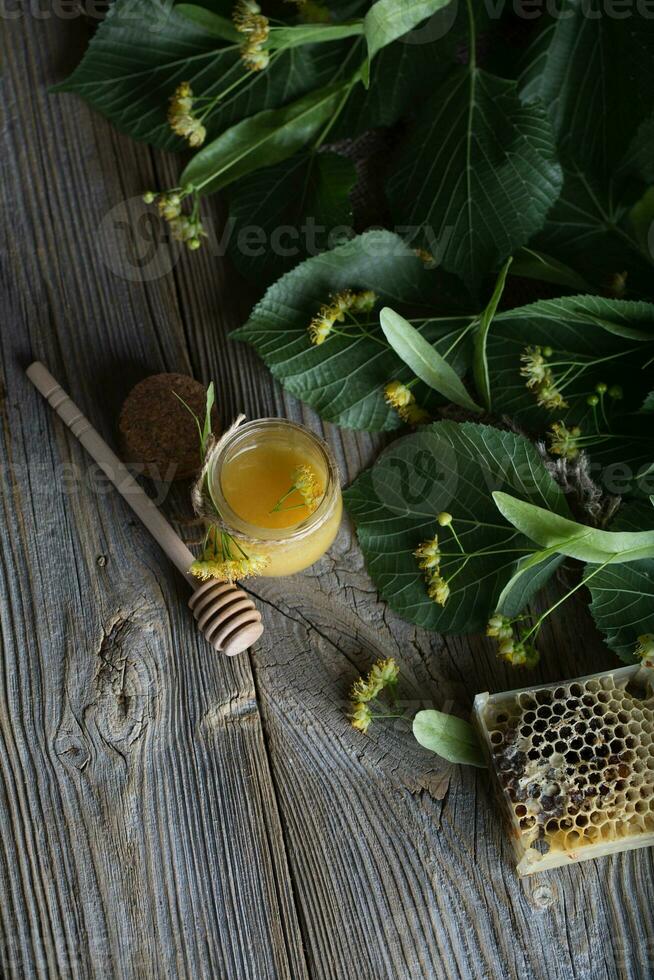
251	473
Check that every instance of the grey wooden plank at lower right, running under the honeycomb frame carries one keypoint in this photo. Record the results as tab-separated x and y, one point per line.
392	881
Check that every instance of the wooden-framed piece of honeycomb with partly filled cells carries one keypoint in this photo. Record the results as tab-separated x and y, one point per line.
574	765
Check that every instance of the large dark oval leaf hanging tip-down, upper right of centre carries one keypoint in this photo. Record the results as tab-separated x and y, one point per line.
476	174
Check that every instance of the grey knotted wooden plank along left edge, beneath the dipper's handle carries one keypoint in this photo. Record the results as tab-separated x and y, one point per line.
140	833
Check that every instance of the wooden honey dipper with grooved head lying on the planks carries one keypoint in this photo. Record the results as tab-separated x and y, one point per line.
225	615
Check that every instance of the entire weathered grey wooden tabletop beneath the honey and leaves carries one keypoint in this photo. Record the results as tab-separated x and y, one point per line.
166	812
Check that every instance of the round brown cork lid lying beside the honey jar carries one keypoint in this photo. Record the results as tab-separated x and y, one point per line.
158	433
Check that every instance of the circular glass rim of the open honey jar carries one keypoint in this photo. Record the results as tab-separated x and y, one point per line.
233	522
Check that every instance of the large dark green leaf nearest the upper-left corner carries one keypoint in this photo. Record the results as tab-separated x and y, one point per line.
143	49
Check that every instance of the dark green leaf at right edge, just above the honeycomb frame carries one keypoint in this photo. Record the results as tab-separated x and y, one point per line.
623	594
